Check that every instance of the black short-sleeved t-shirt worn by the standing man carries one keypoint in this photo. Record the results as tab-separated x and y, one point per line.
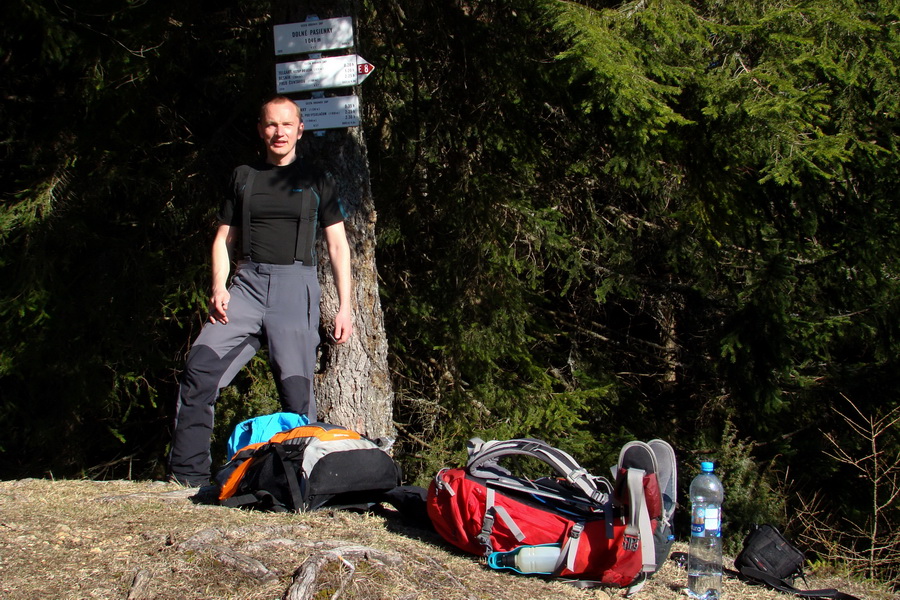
286	203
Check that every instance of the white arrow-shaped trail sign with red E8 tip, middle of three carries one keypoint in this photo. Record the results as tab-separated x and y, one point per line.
321	73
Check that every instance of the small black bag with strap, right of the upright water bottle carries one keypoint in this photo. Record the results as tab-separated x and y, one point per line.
769	558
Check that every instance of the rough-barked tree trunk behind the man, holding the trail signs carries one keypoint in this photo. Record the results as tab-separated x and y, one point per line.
353	386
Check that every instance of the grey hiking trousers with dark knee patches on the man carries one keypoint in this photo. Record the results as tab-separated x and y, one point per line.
275	304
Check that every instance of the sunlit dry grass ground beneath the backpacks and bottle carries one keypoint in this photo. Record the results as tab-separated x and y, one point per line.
146	540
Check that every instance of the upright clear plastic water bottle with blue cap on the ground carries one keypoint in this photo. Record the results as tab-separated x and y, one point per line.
705	556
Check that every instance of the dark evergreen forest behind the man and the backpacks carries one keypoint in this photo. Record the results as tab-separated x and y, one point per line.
596	222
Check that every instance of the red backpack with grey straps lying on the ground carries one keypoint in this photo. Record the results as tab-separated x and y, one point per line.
605	533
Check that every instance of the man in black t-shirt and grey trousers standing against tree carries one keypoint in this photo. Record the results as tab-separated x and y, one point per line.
271	217
